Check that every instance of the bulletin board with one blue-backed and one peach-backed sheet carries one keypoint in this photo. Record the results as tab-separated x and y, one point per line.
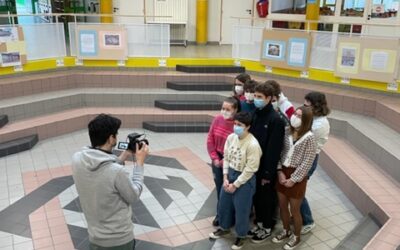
102	42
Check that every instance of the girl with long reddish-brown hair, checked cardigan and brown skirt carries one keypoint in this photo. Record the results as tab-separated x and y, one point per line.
297	158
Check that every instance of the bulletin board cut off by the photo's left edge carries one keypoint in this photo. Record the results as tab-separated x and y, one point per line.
12	46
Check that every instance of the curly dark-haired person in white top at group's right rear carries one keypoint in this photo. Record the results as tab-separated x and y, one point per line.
320	128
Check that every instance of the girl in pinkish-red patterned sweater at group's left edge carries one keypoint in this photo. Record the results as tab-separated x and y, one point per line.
220	128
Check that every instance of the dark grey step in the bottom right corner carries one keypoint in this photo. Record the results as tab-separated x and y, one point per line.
360	235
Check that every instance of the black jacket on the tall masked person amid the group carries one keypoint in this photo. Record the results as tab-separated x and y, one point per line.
269	129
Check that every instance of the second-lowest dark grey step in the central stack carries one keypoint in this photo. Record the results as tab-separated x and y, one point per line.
188	105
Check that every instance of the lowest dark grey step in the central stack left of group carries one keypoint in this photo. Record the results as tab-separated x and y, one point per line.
177	127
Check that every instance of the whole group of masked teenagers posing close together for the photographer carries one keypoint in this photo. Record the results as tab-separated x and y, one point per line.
263	152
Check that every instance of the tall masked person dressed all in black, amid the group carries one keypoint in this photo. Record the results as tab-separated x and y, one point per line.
269	129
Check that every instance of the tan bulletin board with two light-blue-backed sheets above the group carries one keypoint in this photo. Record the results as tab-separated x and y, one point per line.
286	49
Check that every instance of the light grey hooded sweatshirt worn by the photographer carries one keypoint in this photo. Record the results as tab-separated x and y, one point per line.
106	192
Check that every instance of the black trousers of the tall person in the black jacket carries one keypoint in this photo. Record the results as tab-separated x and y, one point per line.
265	203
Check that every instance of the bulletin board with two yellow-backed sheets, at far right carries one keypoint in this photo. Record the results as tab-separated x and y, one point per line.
367	58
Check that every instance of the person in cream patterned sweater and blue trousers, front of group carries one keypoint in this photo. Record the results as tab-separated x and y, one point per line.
241	160
